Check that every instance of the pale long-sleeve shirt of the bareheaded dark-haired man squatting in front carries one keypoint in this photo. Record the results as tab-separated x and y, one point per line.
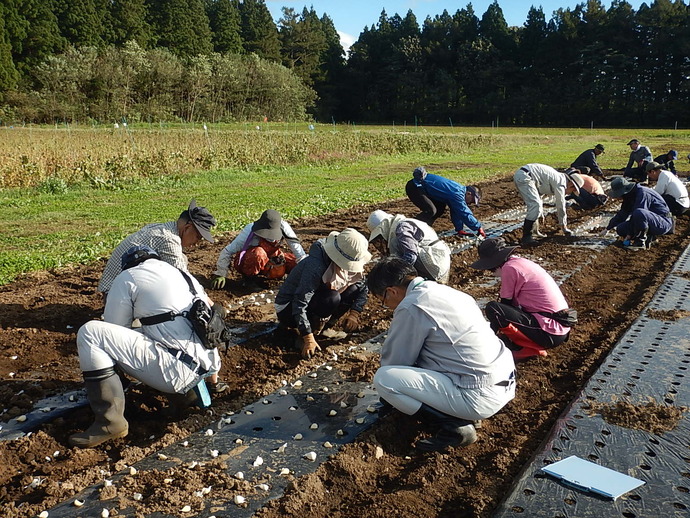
438	328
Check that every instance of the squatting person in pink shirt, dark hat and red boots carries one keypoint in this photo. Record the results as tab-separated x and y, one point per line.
529	297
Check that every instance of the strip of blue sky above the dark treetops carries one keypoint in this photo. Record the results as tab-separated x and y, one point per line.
351	16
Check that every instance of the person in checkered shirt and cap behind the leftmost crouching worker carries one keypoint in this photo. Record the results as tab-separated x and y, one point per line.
167	239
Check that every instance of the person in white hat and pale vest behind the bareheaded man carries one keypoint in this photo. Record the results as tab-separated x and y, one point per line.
413	241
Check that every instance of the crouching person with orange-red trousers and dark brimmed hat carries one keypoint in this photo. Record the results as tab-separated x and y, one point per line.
257	250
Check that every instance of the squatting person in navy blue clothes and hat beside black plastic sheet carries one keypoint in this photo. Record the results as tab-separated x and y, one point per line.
643	214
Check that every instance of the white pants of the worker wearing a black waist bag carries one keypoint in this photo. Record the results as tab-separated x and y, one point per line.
103	345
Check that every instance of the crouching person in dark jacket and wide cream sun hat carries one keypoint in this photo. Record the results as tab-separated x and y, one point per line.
326	286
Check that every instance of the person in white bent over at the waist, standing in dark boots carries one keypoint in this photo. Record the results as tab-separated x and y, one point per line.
532	182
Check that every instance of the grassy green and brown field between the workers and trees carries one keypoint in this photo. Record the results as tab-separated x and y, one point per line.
71	193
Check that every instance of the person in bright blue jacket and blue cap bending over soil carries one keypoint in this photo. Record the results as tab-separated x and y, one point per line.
432	194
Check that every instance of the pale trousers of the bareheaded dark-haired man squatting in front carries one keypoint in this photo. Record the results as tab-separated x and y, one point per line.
406	388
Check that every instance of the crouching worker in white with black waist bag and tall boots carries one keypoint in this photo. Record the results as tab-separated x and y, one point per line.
167	356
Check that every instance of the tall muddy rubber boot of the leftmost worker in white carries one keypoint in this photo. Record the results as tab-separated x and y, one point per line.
107	400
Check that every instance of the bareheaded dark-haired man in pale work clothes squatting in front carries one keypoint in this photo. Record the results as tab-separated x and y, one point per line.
441	362
